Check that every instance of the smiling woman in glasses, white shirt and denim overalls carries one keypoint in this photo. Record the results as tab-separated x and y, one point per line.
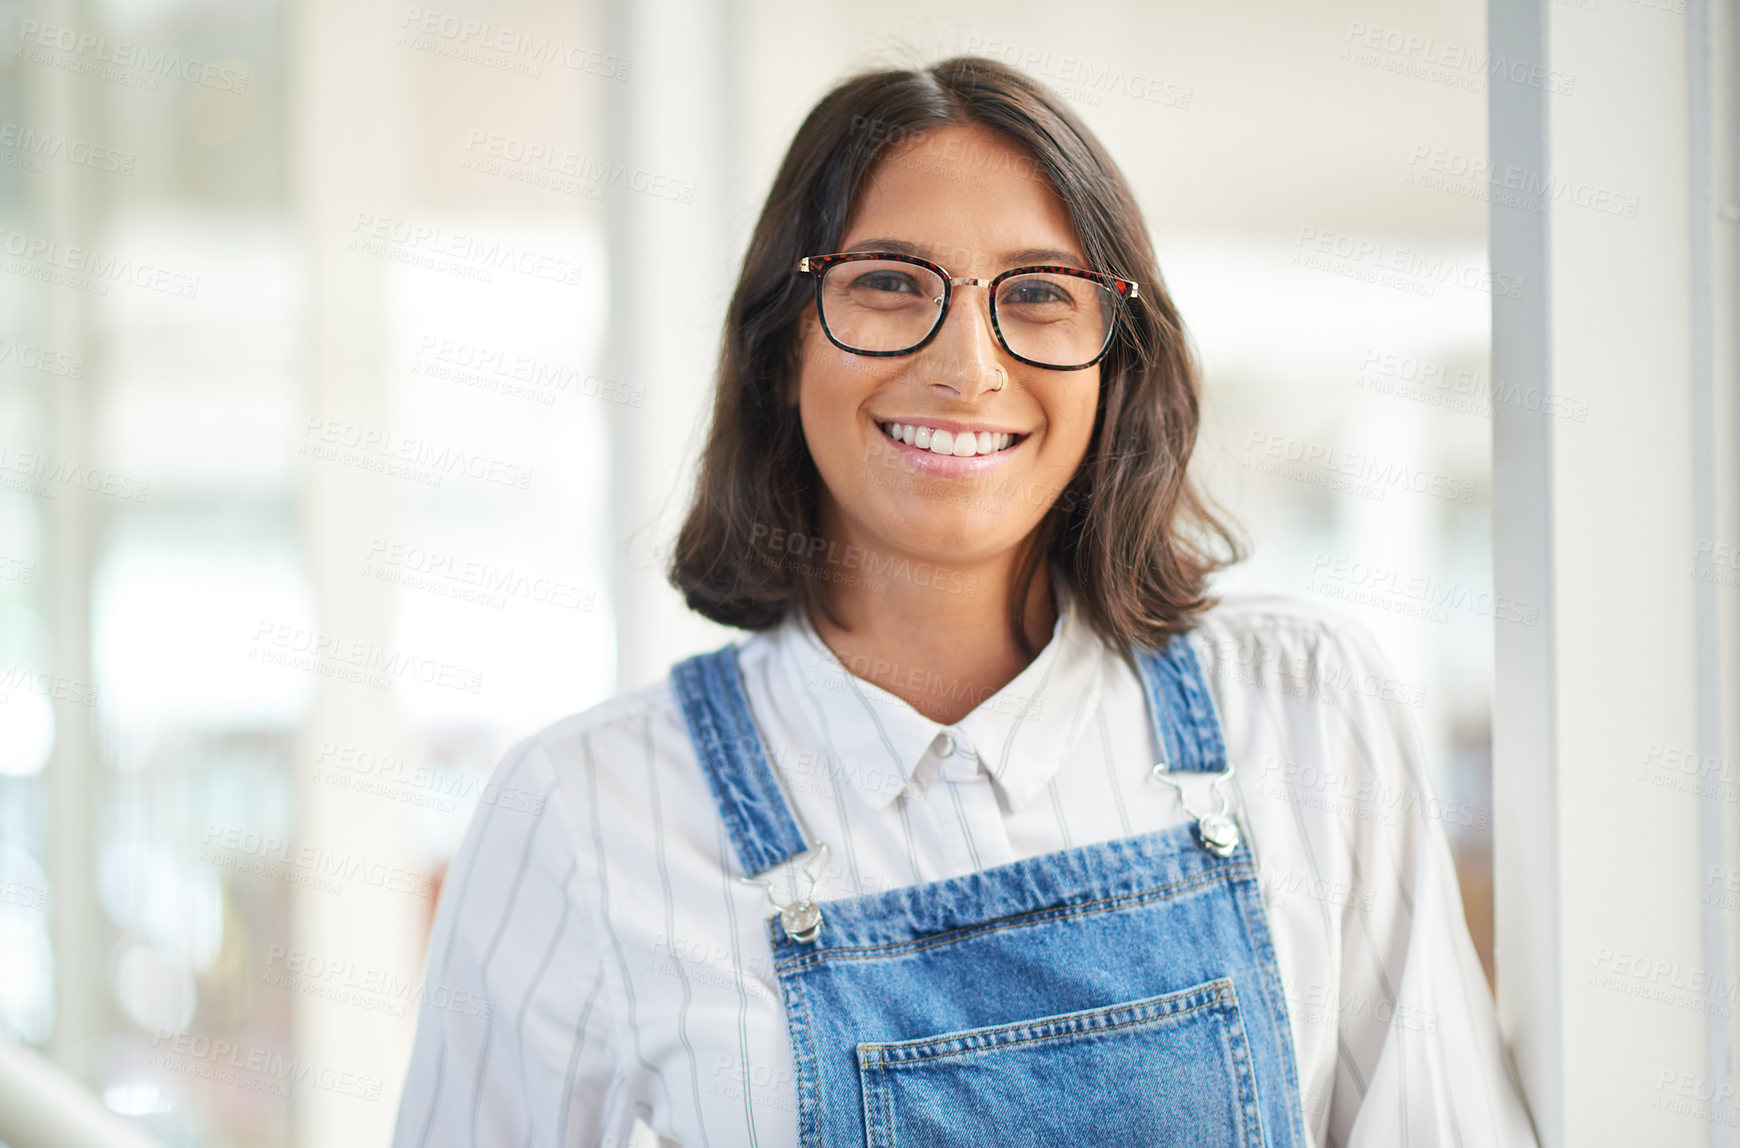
996	831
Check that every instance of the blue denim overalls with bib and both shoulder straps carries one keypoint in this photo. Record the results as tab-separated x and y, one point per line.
1113	994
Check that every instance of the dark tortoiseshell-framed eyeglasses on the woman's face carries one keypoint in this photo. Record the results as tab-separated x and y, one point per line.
885	304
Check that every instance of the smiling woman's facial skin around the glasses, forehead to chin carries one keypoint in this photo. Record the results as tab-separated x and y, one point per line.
975	206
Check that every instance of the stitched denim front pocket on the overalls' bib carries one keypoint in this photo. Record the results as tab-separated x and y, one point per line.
1161	1071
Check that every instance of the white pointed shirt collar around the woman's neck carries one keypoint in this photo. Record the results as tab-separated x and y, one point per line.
880	742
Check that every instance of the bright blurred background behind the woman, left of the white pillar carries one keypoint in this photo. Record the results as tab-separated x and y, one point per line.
352	357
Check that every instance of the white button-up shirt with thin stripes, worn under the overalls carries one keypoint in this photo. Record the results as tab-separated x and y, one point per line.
631	971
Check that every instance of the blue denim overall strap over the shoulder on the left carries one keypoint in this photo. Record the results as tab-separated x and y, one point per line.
730	749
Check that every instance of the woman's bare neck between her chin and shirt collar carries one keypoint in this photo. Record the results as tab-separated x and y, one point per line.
935	636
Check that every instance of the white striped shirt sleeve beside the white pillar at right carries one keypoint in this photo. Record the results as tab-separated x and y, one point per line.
1421	1058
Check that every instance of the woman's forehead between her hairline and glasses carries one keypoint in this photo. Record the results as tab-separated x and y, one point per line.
967	197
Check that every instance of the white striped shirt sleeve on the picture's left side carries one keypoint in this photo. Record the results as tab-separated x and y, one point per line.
514	1027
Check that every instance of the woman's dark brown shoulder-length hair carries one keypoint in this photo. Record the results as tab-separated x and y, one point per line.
1130	533
